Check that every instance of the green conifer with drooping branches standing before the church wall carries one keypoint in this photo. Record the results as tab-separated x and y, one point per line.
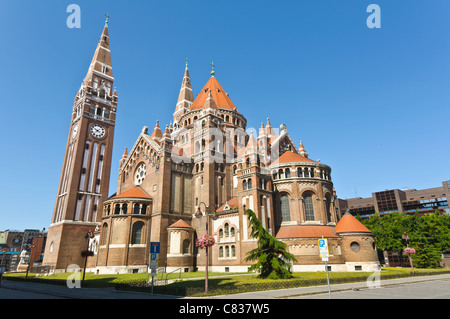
271	255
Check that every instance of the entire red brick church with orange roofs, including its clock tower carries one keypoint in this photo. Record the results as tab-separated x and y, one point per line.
197	174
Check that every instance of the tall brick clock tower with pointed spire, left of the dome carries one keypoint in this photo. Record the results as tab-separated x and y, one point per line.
84	181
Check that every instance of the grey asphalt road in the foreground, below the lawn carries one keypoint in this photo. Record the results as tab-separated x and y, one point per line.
420	287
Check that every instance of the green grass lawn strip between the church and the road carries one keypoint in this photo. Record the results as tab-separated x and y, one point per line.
192	283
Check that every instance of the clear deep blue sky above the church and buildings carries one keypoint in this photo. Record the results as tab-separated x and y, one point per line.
373	104
